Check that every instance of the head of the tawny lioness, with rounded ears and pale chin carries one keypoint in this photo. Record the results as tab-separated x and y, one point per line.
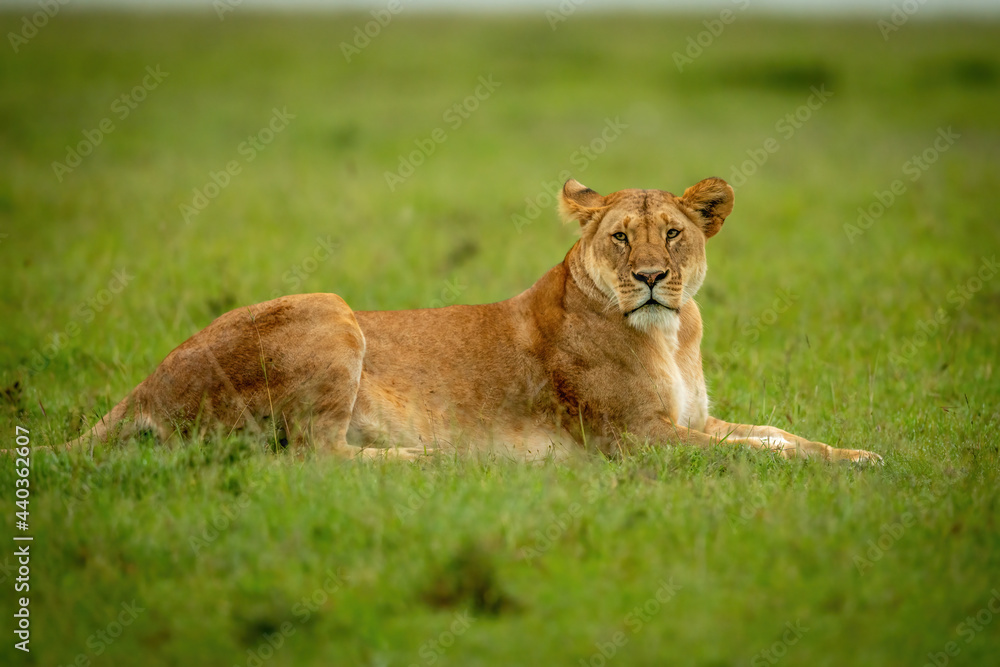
645	249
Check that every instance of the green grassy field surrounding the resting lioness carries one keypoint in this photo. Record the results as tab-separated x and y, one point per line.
255	164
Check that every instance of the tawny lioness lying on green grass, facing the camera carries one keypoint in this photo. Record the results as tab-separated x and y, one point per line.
602	352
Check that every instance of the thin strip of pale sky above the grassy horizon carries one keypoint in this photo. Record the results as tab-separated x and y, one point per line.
863	8
